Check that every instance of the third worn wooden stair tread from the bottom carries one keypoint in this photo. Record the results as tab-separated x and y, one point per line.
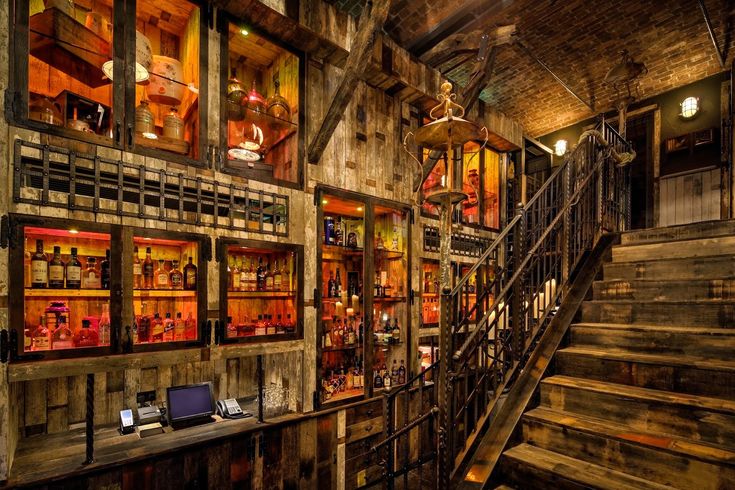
635	392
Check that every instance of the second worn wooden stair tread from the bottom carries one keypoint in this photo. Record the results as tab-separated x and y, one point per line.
687	448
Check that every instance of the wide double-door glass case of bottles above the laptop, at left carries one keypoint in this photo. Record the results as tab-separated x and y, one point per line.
96	289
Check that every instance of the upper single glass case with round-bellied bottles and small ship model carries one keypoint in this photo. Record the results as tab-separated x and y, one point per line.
262	86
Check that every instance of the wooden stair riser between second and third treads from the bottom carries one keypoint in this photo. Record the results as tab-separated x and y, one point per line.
644	415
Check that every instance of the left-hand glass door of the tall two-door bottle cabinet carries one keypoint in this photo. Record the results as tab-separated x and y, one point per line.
341	334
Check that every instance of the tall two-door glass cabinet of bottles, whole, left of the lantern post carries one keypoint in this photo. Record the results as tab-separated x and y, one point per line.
364	295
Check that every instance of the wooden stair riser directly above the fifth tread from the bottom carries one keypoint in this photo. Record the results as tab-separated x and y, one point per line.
685	314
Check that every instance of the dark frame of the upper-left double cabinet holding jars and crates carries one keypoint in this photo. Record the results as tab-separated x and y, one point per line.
123	103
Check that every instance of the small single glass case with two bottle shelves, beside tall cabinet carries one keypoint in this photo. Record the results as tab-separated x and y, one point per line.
262	287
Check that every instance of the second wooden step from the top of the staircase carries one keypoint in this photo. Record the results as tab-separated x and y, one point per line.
724	245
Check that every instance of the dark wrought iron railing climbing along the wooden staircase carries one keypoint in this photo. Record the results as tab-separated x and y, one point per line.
491	320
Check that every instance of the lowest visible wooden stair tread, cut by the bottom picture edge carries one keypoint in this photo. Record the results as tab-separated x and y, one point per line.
595	476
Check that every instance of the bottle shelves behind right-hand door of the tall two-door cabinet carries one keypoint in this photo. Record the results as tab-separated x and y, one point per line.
390	305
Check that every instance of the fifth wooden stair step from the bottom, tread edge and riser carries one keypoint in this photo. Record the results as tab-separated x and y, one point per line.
709	342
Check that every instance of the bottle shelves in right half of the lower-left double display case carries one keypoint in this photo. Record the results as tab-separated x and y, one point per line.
164	290
